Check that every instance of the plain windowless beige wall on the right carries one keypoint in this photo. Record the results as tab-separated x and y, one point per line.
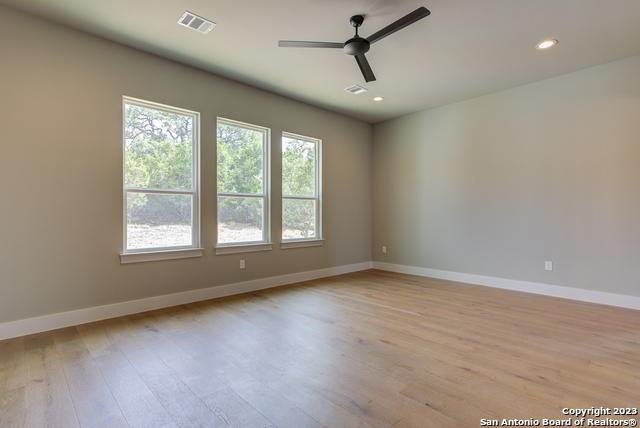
499	184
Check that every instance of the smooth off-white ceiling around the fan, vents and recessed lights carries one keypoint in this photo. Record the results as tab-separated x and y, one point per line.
464	49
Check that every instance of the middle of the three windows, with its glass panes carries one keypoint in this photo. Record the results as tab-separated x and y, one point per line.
243	184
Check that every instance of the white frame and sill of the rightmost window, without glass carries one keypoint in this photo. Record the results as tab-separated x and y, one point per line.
317	240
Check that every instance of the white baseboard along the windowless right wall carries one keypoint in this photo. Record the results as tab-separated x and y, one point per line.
601	297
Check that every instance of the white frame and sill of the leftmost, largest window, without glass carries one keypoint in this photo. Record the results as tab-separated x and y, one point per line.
173	252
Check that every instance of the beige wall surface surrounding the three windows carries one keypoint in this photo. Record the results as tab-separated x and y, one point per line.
61	163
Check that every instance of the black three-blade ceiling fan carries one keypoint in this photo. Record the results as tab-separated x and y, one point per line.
357	46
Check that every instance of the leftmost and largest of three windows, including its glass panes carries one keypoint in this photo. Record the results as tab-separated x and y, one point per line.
161	206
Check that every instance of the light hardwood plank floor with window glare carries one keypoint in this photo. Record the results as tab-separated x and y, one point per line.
370	349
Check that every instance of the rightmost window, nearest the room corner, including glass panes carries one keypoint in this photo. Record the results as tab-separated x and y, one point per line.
301	188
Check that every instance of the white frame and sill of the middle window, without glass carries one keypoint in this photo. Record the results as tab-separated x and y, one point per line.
265	243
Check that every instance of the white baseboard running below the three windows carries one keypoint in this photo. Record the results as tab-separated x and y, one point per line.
96	313
